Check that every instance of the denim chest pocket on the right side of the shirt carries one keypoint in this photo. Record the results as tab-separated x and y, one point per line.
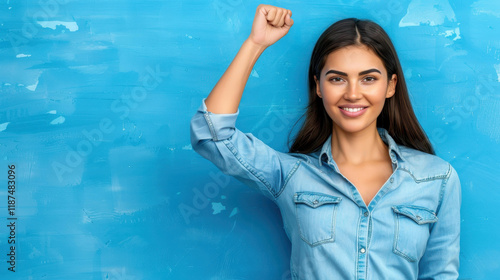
412	230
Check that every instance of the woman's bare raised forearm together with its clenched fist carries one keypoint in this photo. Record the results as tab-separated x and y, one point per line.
270	24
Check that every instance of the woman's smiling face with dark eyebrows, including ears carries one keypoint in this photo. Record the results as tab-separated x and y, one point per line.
353	85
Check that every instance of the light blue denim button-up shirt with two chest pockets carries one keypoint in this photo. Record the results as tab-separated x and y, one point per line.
410	229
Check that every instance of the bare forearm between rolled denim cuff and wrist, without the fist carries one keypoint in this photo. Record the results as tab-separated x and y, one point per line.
226	95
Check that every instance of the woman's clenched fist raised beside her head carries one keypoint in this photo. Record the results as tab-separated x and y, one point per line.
270	24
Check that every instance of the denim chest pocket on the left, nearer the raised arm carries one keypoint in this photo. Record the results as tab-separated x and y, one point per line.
315	214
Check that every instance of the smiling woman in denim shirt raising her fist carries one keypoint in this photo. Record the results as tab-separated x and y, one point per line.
361	194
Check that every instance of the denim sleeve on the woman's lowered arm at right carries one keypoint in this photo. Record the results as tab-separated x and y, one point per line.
441	258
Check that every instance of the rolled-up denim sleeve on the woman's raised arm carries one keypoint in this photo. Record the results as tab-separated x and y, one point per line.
235	153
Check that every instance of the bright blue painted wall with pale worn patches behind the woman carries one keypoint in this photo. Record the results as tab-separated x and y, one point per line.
95	103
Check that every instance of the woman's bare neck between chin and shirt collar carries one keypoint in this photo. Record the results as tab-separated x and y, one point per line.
359	147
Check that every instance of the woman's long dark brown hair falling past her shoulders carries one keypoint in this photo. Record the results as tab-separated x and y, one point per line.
397	116
